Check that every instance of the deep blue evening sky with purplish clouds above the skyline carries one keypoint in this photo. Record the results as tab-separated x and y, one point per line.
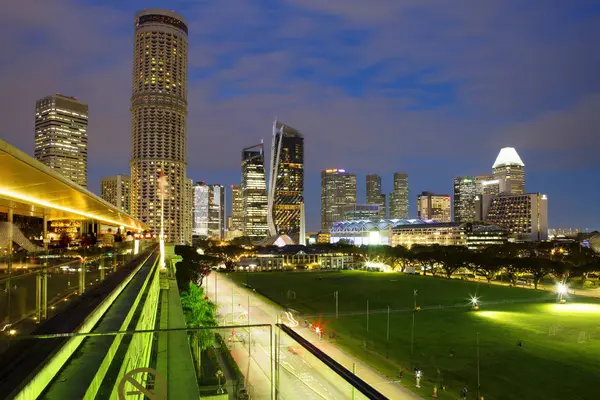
431	88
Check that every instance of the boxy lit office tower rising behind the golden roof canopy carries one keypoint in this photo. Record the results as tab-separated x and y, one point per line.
61	136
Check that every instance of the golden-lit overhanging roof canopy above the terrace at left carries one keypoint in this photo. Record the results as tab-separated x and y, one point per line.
33	189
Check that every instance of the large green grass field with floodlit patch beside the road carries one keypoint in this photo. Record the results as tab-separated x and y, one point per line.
559	357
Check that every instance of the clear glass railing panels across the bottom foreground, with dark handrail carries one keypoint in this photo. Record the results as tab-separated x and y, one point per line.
234	362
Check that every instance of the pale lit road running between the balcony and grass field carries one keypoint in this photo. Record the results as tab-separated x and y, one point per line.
301	375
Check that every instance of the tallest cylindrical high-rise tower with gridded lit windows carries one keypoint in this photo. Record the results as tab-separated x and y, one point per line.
159	113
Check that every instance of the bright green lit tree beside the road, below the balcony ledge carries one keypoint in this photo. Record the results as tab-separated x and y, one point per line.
198	312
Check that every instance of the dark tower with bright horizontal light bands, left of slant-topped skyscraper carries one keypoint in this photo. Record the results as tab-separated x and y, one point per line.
254	193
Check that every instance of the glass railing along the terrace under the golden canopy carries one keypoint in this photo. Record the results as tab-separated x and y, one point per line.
35	286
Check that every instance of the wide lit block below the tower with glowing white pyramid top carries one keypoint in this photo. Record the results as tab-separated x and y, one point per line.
525	217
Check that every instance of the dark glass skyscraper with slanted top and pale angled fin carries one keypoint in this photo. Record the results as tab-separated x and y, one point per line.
286	181
